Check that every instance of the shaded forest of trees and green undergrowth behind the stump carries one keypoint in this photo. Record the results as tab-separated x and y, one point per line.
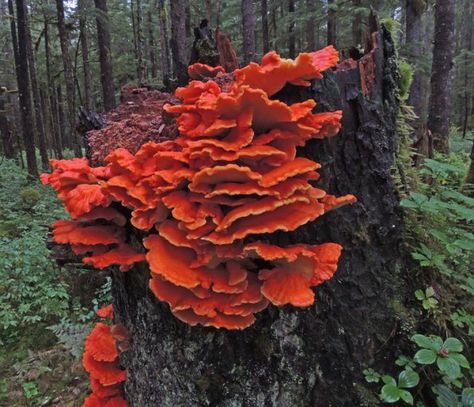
61	60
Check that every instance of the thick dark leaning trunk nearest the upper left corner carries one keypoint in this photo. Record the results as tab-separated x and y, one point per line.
21	62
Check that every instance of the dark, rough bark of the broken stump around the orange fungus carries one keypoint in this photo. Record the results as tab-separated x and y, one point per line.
295	357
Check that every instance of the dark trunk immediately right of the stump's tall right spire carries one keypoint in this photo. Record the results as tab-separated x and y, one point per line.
414	49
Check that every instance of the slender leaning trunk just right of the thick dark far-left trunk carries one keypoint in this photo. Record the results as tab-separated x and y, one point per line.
39	119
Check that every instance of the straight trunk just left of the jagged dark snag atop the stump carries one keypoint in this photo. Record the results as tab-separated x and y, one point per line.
178	40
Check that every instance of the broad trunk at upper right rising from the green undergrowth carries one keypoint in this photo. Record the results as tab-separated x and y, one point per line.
440	99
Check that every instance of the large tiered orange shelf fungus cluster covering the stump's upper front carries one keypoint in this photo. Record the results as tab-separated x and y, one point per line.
204	202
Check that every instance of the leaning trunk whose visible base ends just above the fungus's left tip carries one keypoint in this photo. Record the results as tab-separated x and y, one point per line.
69	78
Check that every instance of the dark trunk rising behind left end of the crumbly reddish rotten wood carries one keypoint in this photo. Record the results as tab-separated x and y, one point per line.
105	57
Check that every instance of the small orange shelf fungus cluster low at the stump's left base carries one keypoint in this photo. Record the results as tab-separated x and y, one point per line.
101	360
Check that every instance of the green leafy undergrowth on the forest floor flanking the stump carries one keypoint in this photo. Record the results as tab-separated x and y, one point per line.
45	315
